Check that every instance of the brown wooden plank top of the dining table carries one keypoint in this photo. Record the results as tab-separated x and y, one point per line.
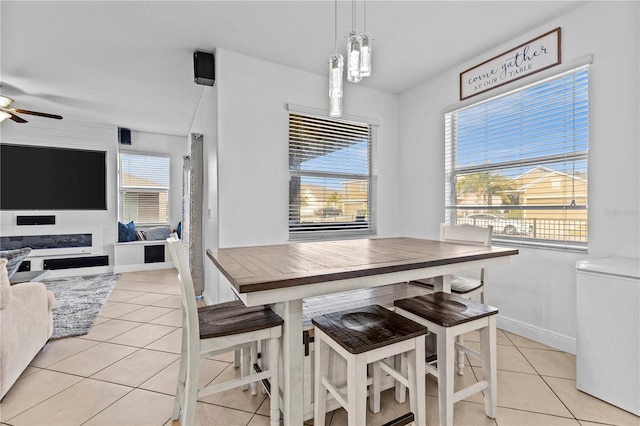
258	268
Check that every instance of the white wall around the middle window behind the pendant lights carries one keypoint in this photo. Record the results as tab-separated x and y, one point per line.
252	147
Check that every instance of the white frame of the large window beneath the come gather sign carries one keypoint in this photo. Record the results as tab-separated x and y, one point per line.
577	156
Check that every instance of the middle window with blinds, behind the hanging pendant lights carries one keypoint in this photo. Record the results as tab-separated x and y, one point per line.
330	178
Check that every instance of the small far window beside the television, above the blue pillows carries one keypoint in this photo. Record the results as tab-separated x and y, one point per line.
144	189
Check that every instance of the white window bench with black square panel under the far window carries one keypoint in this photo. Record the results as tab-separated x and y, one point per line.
140	256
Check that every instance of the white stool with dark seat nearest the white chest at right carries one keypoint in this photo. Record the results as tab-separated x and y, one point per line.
448	316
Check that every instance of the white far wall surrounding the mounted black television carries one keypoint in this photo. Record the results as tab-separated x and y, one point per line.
69	133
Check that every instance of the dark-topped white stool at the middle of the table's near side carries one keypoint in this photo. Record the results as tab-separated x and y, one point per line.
362	336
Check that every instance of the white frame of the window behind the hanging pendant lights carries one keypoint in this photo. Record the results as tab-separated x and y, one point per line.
340	230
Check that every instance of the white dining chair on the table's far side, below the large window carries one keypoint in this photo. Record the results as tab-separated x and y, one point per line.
467	286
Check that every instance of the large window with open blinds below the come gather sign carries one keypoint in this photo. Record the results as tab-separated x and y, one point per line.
518	162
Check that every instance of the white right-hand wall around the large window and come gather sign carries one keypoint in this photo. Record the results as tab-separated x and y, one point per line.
536	294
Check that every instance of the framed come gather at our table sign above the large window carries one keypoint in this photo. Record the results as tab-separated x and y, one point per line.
529	58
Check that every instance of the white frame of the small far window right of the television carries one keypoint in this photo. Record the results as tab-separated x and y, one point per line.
160	189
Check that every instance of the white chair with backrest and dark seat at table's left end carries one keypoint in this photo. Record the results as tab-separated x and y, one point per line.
217	329
